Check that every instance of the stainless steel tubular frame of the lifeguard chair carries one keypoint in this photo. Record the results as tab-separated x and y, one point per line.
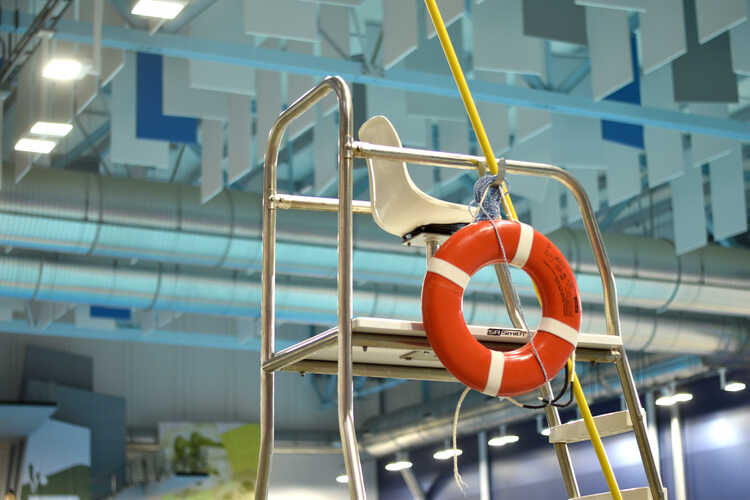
271	361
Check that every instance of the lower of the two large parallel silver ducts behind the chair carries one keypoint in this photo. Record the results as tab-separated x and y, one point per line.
226	293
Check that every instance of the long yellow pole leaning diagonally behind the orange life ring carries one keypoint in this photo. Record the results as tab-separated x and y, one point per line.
476	122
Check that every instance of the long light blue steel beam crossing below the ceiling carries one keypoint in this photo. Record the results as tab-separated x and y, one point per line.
276	60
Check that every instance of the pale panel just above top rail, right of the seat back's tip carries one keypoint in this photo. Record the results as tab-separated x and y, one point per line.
392	104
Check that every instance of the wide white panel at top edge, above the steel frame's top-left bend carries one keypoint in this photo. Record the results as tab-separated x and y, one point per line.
291	19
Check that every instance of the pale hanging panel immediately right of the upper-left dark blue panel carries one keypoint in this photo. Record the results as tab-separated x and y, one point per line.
181	100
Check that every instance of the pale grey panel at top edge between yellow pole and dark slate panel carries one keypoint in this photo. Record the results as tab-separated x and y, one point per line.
513	51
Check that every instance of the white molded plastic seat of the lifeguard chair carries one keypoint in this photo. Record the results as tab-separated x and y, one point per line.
398	205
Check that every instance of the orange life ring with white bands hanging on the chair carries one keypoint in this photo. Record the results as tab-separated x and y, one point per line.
448	273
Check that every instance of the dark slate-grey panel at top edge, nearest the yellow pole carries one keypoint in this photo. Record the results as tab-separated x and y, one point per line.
560	20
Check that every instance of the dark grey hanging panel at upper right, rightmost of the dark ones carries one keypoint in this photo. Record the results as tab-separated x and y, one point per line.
712	58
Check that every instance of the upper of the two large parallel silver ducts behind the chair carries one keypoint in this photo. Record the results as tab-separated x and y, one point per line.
86	214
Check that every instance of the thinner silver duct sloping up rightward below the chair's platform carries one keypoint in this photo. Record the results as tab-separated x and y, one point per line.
493	413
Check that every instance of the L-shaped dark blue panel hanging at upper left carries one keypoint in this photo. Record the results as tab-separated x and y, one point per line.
151	123
